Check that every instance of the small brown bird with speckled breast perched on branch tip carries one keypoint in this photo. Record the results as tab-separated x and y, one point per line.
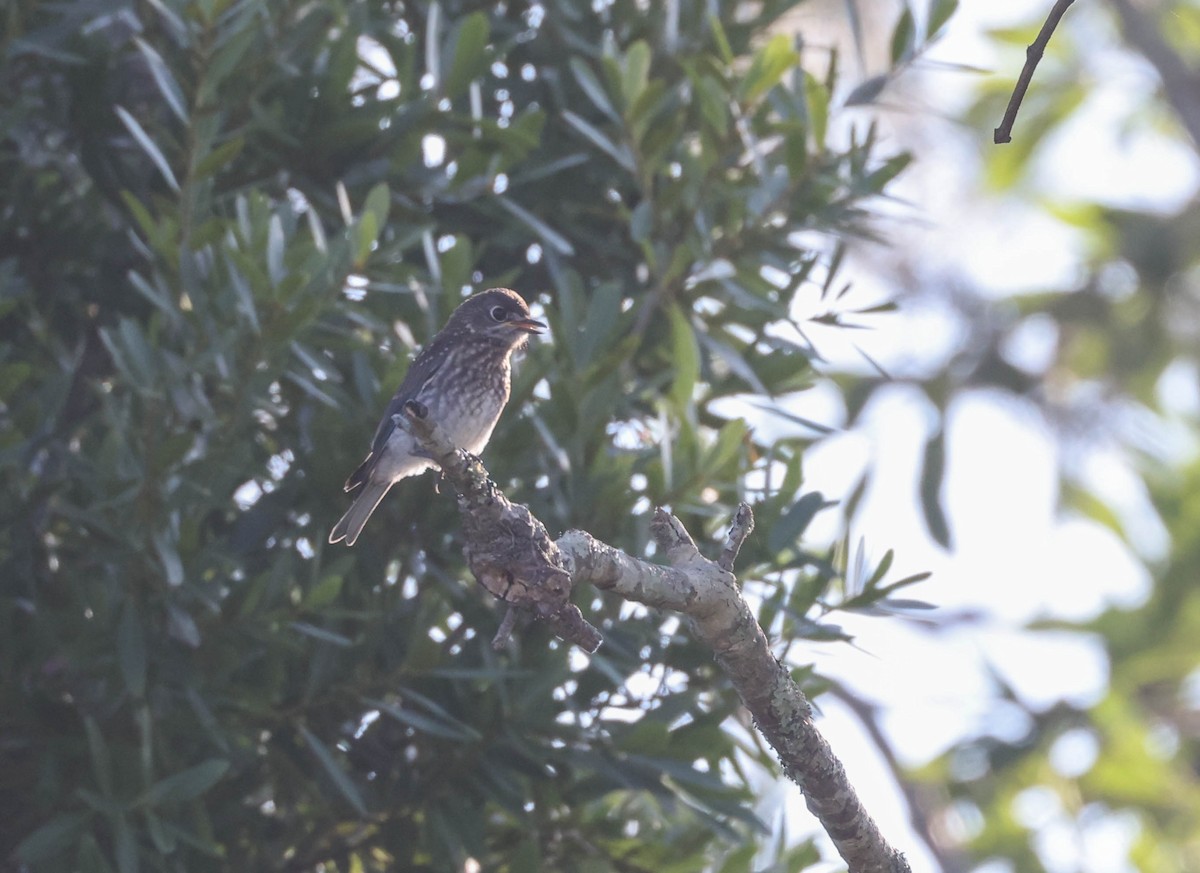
464	378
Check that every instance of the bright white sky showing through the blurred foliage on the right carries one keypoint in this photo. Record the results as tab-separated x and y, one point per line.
1016	559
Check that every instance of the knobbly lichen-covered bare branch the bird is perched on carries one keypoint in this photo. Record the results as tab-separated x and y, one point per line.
514	558
